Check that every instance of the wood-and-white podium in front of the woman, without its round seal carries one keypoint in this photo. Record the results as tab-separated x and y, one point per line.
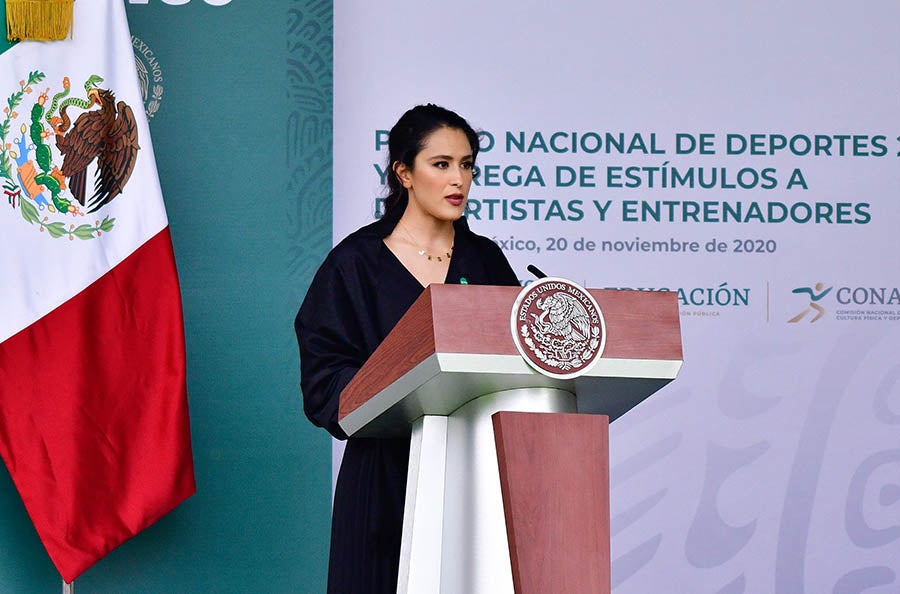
500	498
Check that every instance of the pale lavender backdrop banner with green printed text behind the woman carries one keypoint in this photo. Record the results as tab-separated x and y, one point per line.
745	156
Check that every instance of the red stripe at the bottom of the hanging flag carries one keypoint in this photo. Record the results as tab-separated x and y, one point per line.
93	410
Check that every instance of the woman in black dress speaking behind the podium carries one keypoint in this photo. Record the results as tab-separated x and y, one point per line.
363	288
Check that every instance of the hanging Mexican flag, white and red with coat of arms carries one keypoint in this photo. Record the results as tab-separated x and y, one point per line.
93	408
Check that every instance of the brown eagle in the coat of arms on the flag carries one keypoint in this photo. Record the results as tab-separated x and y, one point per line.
109	135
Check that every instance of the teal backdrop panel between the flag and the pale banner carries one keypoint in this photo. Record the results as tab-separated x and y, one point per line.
239	95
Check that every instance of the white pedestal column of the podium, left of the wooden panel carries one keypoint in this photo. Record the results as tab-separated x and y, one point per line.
454	531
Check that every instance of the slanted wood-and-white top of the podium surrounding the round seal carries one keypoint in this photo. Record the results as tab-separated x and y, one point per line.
454	344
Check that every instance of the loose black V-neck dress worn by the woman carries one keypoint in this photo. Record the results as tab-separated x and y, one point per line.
357	296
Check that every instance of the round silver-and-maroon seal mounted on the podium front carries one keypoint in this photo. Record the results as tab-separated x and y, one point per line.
558	328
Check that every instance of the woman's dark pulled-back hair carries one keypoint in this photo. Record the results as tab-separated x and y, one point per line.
407	138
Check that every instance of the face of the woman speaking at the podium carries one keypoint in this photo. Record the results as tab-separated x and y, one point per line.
441	176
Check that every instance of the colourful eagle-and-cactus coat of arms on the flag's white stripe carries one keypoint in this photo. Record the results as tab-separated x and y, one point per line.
46	163
